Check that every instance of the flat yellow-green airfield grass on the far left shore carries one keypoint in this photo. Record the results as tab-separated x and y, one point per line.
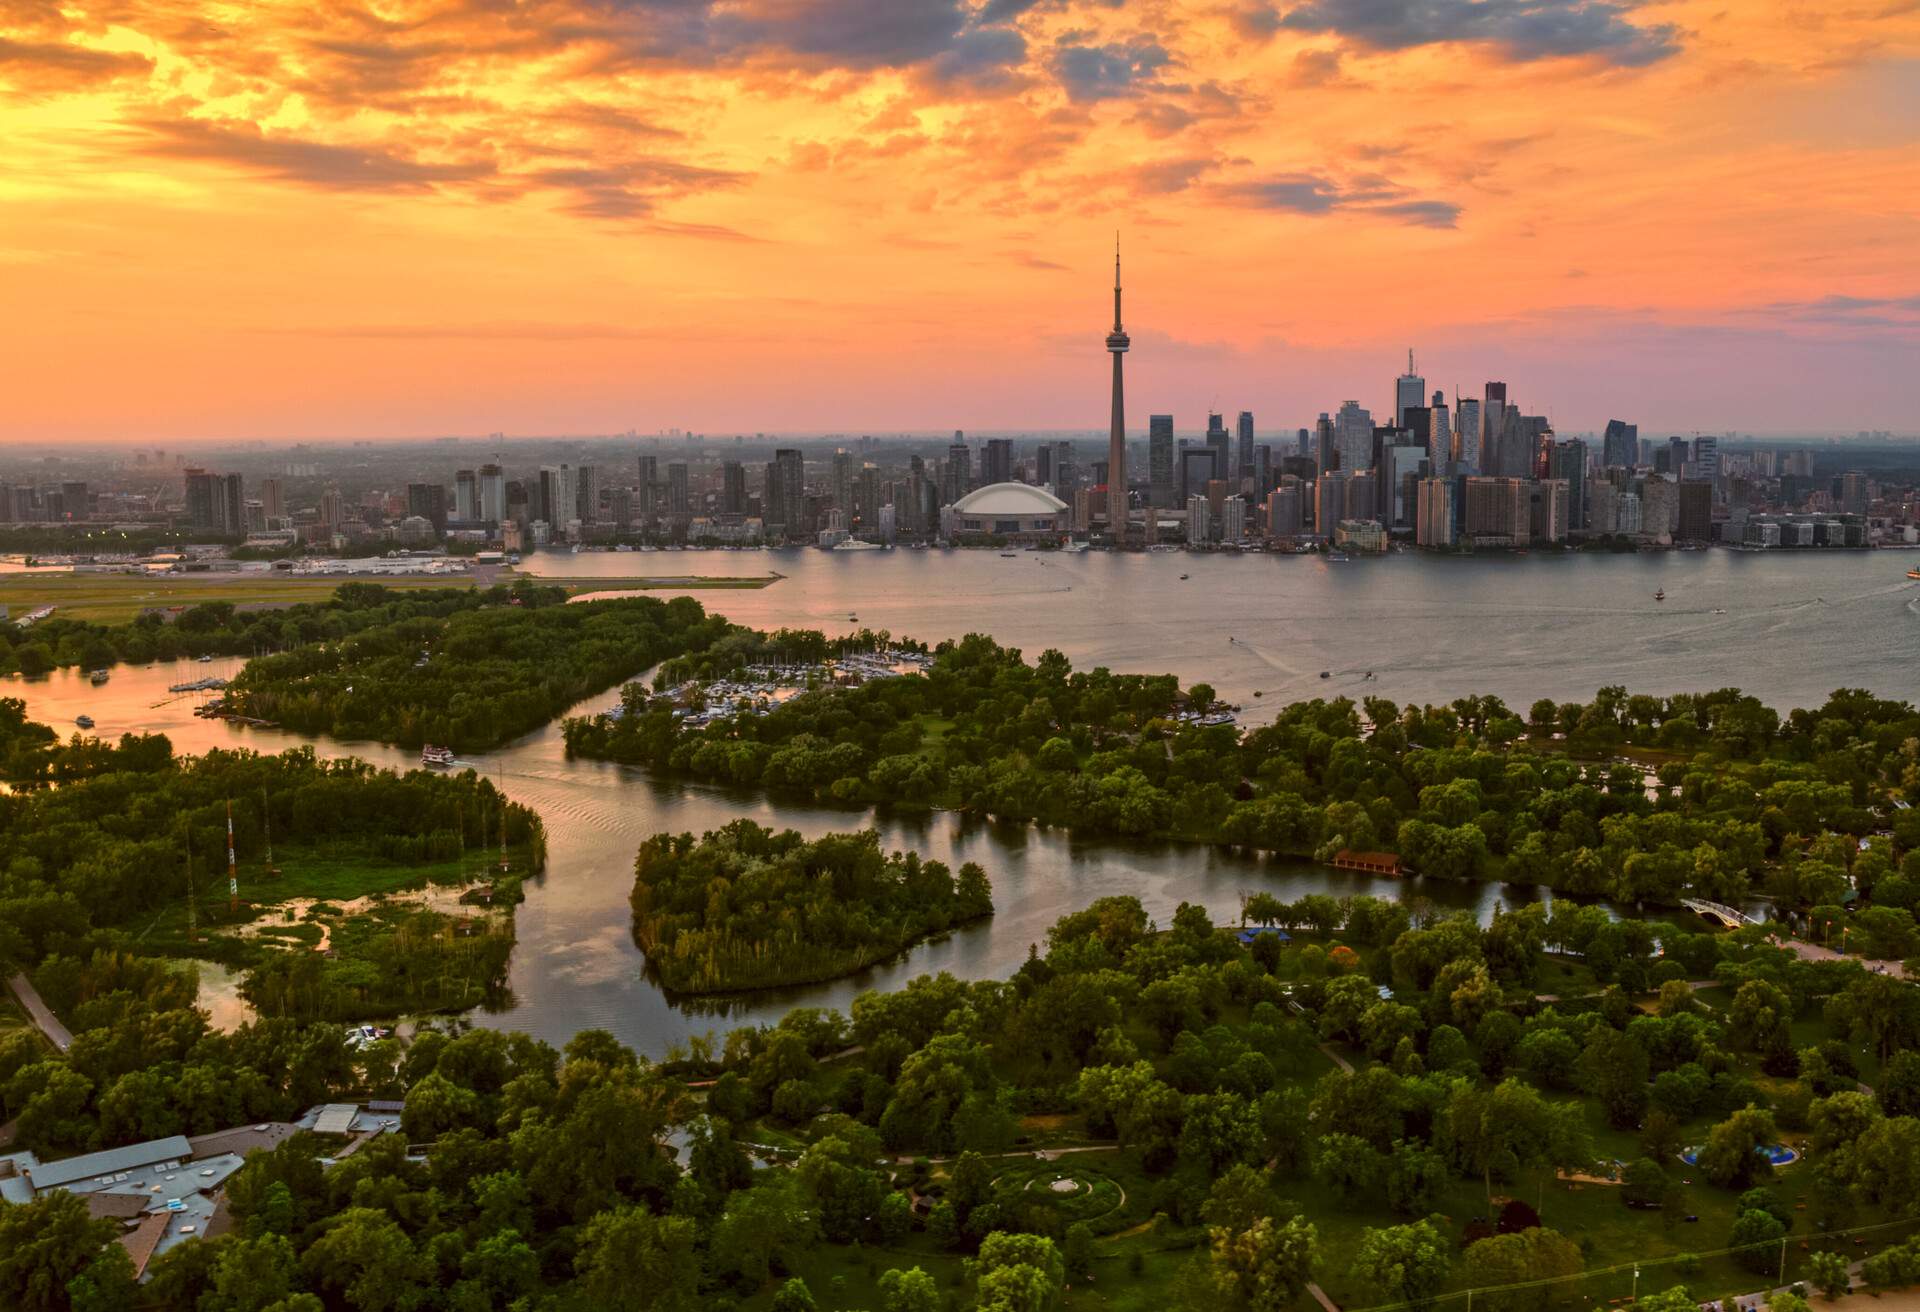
120	598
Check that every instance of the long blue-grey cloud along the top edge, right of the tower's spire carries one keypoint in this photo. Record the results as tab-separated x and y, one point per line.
1525	30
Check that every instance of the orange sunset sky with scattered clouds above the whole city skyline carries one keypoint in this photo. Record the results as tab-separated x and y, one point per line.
590	216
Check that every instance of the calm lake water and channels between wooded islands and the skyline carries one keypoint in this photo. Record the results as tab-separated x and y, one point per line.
1429	629
